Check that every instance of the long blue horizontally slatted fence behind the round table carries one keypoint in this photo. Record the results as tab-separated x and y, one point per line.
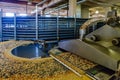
49	28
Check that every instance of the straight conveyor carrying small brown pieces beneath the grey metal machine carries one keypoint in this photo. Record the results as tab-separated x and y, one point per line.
80	66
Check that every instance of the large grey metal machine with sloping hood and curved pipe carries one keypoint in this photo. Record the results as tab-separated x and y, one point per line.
102	46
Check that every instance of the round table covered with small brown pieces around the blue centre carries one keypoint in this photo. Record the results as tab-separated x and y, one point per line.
16	68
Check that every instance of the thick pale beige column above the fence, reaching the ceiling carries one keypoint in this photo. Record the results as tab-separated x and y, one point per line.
72	7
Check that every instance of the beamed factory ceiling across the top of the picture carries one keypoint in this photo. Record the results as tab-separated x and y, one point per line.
28	6
